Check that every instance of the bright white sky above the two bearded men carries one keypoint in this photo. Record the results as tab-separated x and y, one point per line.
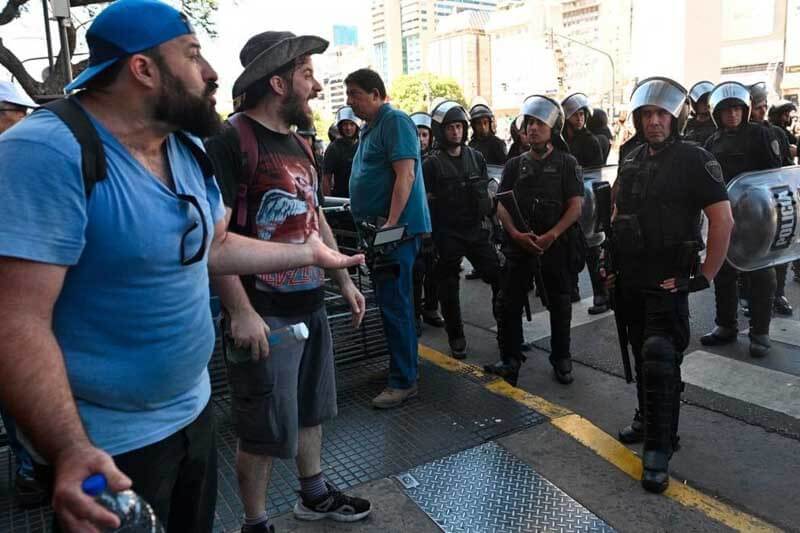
236	21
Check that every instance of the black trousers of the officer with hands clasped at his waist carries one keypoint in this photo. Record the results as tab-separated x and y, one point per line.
515	283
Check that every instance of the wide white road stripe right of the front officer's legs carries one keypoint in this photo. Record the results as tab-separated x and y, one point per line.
761	386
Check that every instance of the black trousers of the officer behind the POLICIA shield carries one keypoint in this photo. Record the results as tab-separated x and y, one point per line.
761	286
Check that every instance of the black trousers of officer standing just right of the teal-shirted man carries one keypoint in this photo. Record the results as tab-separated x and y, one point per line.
452	247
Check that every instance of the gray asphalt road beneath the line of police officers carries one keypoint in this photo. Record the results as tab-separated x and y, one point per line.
740	424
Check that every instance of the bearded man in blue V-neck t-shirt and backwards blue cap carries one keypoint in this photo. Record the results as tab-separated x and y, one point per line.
105	328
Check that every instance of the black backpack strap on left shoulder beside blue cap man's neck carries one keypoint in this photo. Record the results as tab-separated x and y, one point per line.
93	155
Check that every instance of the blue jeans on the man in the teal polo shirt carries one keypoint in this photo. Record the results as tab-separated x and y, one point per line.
394	295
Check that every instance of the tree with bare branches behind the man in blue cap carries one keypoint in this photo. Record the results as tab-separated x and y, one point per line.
199	11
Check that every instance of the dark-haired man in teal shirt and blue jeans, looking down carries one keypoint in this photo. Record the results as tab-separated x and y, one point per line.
386	185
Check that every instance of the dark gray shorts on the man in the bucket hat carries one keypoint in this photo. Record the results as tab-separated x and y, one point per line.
294	387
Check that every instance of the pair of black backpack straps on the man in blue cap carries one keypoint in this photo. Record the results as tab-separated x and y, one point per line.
93	155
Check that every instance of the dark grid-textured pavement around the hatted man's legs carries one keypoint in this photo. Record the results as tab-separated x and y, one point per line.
362	444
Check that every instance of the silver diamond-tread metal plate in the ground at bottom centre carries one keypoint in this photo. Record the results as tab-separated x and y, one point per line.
486	488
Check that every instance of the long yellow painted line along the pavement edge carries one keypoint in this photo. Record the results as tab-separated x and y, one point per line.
606	446
